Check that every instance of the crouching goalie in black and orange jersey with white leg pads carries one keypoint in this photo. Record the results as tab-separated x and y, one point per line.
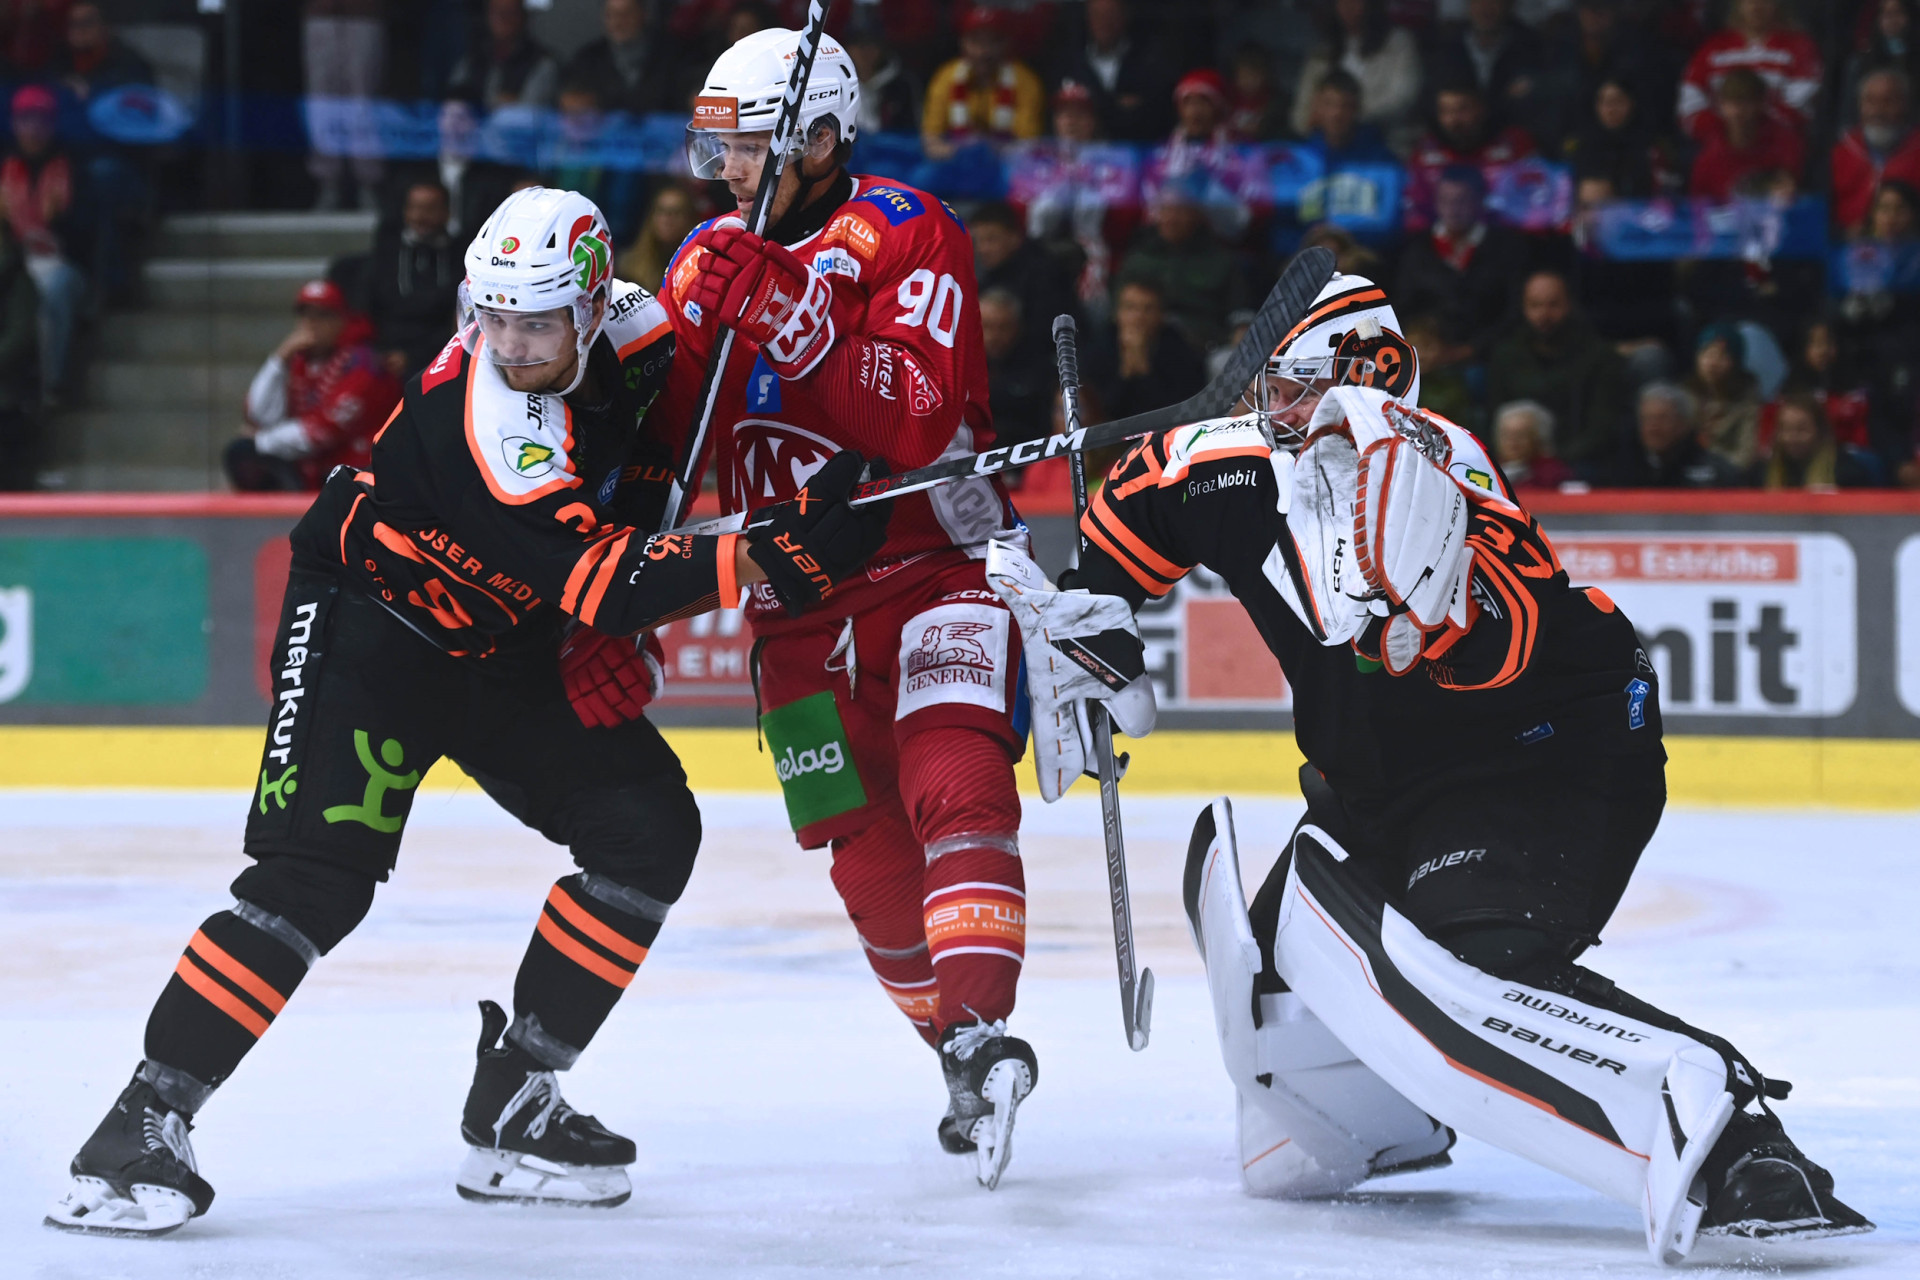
1485	767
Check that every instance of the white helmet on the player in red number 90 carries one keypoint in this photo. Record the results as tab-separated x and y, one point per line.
748	83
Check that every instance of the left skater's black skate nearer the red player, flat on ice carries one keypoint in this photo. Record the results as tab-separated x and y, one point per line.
529	1147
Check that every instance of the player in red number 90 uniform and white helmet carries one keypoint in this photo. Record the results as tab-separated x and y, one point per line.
894	713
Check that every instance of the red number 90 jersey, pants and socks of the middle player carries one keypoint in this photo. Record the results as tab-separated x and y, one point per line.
919	653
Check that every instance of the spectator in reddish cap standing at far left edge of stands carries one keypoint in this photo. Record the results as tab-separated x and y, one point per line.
37	197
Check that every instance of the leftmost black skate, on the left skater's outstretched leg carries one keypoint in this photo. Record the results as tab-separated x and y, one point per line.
135	1177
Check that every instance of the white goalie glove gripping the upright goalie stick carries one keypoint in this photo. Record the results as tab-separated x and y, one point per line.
1078	648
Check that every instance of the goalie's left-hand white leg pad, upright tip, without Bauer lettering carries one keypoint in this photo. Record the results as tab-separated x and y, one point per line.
1312	1118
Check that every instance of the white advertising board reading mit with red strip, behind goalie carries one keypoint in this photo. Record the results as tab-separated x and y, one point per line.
1735	625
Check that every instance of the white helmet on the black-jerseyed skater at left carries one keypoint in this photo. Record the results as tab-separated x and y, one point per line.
542	250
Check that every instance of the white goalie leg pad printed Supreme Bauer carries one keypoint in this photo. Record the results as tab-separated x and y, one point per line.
1627	1108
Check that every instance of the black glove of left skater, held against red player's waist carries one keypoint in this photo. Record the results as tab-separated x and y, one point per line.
813	542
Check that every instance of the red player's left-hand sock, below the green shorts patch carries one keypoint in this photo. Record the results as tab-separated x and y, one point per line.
878	874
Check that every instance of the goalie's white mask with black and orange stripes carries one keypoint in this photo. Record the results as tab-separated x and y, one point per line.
1349	337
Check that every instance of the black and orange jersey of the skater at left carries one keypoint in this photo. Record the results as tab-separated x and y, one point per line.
489	513
